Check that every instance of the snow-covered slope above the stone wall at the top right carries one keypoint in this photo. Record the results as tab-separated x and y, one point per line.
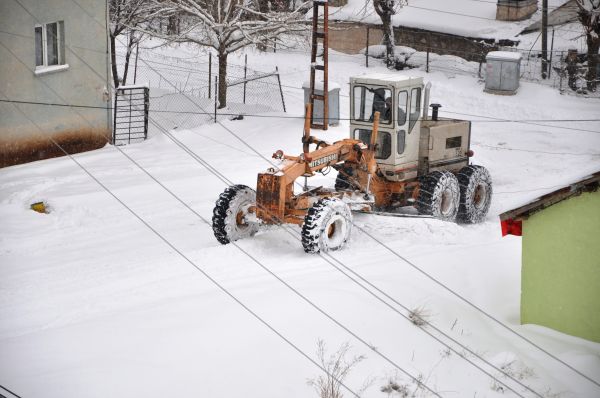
459	17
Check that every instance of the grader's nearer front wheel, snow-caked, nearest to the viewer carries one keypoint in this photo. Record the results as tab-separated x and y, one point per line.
327	226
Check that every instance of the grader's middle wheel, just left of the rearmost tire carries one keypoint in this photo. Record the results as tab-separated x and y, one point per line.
439	195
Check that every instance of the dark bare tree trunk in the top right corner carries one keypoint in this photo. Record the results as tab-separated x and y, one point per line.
589	16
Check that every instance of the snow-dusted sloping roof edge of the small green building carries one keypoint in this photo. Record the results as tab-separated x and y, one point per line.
568	188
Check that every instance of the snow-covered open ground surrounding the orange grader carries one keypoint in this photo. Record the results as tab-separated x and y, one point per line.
94	304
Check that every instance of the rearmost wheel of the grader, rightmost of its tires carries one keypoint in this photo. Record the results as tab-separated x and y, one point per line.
475	194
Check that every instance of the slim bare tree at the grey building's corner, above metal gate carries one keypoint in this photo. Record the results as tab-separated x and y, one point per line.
127	16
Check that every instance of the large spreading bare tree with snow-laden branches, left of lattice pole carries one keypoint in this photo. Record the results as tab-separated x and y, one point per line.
229	25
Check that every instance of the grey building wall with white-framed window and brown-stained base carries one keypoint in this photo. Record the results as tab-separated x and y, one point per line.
53	52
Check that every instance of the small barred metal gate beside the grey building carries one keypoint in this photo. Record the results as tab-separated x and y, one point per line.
131	114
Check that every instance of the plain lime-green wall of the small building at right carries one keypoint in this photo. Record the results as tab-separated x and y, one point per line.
560	284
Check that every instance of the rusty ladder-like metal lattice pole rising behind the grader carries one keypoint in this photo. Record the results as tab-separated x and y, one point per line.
316	35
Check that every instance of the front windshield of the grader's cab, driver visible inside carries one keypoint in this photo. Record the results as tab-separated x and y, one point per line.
368	100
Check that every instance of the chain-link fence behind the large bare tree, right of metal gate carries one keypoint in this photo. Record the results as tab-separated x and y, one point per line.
184	94
